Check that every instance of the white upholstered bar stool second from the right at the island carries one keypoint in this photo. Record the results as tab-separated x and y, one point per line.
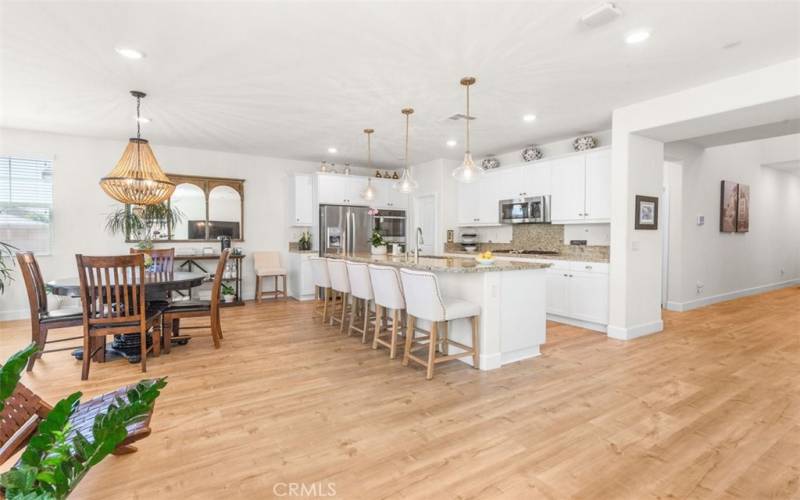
388	293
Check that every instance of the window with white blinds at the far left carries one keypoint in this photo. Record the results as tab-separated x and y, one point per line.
26	203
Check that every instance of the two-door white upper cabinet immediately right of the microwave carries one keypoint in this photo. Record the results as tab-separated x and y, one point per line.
581	188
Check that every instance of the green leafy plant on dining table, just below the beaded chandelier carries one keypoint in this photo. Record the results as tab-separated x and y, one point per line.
144	223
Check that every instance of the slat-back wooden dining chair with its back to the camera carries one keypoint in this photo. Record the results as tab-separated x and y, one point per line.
113	299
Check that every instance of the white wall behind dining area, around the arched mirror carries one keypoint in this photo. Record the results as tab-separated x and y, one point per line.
80	206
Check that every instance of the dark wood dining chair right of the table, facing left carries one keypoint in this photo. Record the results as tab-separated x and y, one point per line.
177	310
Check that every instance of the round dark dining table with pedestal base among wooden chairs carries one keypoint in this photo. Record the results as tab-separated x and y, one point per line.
158	287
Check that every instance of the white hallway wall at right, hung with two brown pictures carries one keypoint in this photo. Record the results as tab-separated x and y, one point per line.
728	265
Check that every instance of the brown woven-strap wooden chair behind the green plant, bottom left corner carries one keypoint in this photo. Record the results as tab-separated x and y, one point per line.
24	410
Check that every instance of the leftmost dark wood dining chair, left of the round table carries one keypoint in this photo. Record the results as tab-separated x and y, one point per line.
42	319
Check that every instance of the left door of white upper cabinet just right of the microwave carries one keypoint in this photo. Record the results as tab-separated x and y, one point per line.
568	189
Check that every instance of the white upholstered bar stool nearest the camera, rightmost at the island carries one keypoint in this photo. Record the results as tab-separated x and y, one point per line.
424	301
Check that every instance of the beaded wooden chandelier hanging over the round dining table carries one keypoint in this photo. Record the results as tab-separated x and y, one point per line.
137	179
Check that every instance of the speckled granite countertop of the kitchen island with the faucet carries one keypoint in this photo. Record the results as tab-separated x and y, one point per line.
442	264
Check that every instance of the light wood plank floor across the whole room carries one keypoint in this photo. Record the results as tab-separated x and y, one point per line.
709	408
